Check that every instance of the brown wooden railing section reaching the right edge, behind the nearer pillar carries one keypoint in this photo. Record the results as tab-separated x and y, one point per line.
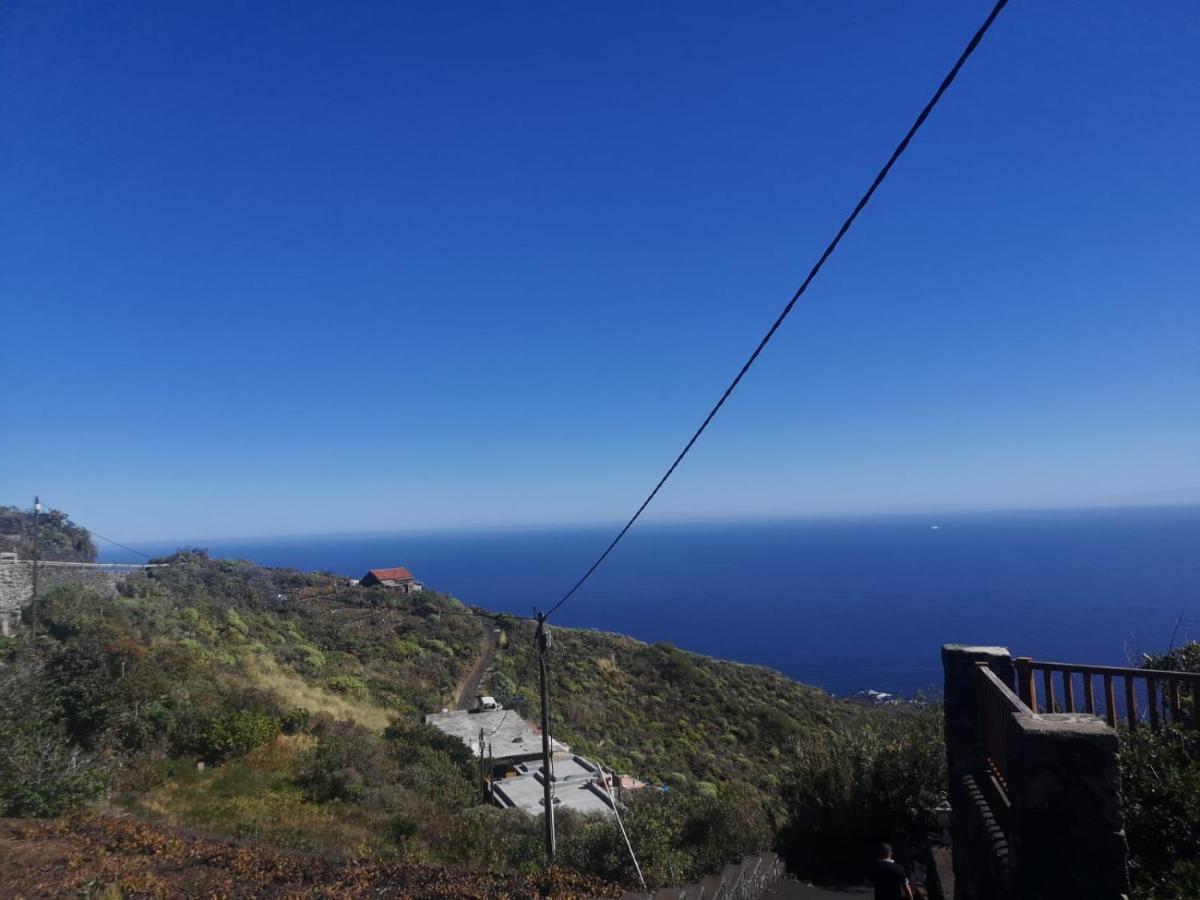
1149	695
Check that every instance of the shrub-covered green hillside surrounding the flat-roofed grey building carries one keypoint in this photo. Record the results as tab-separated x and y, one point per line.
285	709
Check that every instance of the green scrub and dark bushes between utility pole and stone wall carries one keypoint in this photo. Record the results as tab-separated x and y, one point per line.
821	781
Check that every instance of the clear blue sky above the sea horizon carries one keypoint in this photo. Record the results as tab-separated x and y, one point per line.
281	268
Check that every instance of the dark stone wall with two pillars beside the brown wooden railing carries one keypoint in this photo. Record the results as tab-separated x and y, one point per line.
1052	827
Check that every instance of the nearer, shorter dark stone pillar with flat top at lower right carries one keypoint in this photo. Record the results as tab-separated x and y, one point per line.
1069	836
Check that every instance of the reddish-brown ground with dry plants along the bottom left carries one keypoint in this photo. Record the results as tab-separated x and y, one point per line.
92	857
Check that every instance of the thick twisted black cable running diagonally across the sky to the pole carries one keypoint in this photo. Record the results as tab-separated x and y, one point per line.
800	292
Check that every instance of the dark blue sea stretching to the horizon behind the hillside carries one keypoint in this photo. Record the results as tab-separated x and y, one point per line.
848	604
